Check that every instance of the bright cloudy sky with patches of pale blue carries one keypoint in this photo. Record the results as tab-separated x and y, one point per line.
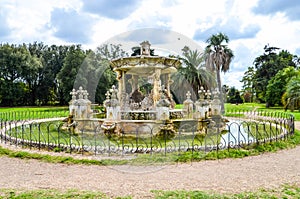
249	24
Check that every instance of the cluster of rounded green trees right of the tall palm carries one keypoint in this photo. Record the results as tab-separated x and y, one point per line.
268	81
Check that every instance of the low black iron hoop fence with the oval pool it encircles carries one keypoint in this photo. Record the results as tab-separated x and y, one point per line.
242	129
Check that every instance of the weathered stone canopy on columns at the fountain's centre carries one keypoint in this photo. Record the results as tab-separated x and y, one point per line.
144	69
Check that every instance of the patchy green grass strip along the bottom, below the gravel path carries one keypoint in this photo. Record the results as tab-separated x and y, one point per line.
285	191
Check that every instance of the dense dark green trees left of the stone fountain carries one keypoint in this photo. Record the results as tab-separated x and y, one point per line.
38	74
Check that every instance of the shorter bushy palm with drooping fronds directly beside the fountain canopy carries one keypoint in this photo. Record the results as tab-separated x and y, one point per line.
192	74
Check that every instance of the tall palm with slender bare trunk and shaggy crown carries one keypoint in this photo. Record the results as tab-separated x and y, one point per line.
218	58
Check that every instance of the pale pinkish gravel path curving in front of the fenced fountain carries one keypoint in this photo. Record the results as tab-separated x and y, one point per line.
269	170
